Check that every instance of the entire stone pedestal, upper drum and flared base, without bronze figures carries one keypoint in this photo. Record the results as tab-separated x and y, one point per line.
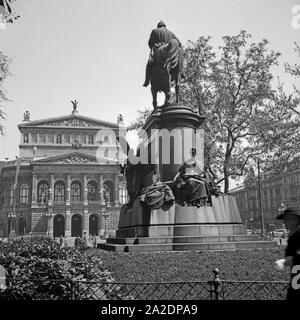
180	227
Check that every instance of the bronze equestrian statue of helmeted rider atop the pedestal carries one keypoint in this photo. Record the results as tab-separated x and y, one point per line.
165	64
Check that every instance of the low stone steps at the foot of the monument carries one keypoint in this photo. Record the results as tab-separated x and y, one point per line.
186	246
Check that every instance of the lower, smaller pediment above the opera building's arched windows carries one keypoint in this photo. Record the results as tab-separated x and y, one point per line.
74	158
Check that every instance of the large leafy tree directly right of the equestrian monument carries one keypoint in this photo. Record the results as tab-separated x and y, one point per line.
232	88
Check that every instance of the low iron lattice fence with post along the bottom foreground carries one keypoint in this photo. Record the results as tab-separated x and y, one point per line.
216	289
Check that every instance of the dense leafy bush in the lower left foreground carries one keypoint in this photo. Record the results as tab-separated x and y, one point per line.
30	262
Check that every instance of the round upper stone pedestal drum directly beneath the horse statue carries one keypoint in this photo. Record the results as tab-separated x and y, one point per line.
171	133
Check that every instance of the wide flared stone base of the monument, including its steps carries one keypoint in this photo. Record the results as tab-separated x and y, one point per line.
216	227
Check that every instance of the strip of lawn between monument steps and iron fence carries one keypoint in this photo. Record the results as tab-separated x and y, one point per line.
254	264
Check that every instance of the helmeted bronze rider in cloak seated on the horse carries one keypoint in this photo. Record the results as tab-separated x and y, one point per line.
158	37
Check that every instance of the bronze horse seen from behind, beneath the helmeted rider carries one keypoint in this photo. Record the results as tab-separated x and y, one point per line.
166	69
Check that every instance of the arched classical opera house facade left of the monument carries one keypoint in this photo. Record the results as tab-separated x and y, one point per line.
66	180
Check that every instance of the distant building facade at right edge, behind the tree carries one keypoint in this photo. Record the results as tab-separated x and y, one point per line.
277	192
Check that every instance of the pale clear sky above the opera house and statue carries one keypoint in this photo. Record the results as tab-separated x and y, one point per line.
95	51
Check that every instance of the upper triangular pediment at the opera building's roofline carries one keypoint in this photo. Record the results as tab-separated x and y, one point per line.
68	121
